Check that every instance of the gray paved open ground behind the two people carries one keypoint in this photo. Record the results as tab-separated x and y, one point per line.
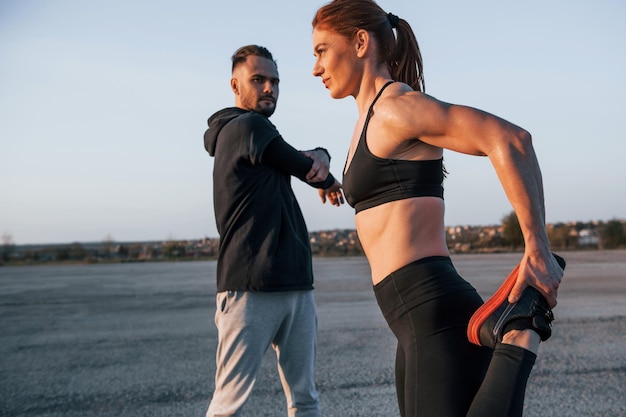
138	340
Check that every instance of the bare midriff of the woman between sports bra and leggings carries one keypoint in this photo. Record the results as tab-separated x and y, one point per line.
395	234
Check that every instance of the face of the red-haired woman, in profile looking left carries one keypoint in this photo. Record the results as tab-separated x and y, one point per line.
336	63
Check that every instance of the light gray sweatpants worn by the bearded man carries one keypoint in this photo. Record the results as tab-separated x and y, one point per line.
247	324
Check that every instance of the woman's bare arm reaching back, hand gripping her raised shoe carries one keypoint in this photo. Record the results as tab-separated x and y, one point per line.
510	150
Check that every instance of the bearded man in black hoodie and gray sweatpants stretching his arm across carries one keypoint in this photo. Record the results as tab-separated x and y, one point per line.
264	268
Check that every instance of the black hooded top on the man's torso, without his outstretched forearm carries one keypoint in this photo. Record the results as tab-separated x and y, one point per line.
264	242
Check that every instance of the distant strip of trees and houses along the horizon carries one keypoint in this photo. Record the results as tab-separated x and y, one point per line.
506	237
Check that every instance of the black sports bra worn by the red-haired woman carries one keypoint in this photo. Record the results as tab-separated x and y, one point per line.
371	181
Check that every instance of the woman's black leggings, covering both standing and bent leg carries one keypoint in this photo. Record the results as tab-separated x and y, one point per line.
427	305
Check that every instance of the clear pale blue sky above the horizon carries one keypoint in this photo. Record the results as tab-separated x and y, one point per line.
103	106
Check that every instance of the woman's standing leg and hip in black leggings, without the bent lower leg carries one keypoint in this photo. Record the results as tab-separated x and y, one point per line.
428	306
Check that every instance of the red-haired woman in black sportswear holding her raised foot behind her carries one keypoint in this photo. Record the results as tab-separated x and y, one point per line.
393	178
